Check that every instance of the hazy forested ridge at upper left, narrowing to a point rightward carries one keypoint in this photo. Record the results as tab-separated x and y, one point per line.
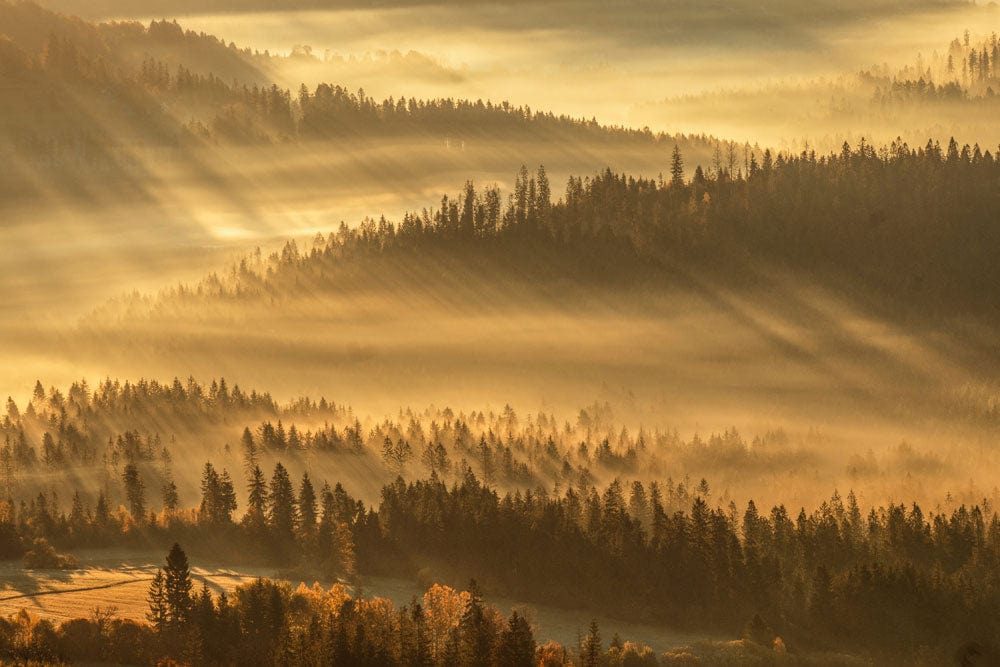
83	100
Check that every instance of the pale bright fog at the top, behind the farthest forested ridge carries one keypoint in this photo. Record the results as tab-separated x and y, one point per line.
631	64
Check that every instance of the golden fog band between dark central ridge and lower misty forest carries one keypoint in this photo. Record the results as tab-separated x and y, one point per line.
847	387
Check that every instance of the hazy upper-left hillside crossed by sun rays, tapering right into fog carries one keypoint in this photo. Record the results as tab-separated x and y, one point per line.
121	109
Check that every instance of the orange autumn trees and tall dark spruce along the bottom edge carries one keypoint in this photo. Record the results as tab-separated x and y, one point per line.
267	622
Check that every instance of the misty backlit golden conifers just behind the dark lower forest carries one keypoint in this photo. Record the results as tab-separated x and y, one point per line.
149	435
